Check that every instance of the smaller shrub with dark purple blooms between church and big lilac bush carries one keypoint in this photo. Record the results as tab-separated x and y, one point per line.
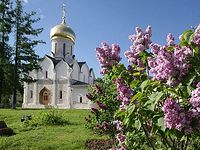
103	95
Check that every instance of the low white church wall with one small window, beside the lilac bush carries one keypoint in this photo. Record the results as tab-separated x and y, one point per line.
79	99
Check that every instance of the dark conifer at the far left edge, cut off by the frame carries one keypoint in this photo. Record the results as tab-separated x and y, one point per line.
6	14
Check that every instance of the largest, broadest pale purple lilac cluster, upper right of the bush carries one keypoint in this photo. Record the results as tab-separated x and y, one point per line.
169	66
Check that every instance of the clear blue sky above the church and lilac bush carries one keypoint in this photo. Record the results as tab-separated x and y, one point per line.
113	21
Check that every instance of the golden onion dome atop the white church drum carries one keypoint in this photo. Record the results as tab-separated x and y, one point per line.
62	31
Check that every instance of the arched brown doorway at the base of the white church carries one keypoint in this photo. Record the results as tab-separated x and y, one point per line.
44	96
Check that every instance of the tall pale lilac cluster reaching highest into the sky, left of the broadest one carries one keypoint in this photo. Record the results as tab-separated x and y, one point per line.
141	41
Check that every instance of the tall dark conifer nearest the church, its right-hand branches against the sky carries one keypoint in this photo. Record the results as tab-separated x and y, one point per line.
25	58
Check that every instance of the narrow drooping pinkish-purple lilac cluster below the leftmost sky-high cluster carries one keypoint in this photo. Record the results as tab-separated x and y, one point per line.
124	93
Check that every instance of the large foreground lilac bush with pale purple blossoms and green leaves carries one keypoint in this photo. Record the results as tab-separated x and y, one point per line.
157	97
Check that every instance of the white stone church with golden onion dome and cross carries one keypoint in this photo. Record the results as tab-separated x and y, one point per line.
62	81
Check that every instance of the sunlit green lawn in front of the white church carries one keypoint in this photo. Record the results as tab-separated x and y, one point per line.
67	137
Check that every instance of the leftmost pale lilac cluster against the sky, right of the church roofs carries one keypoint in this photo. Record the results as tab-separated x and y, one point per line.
108	56
